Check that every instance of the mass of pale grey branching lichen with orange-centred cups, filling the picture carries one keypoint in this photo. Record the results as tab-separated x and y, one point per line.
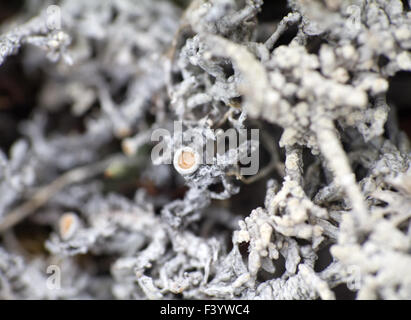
328	214
